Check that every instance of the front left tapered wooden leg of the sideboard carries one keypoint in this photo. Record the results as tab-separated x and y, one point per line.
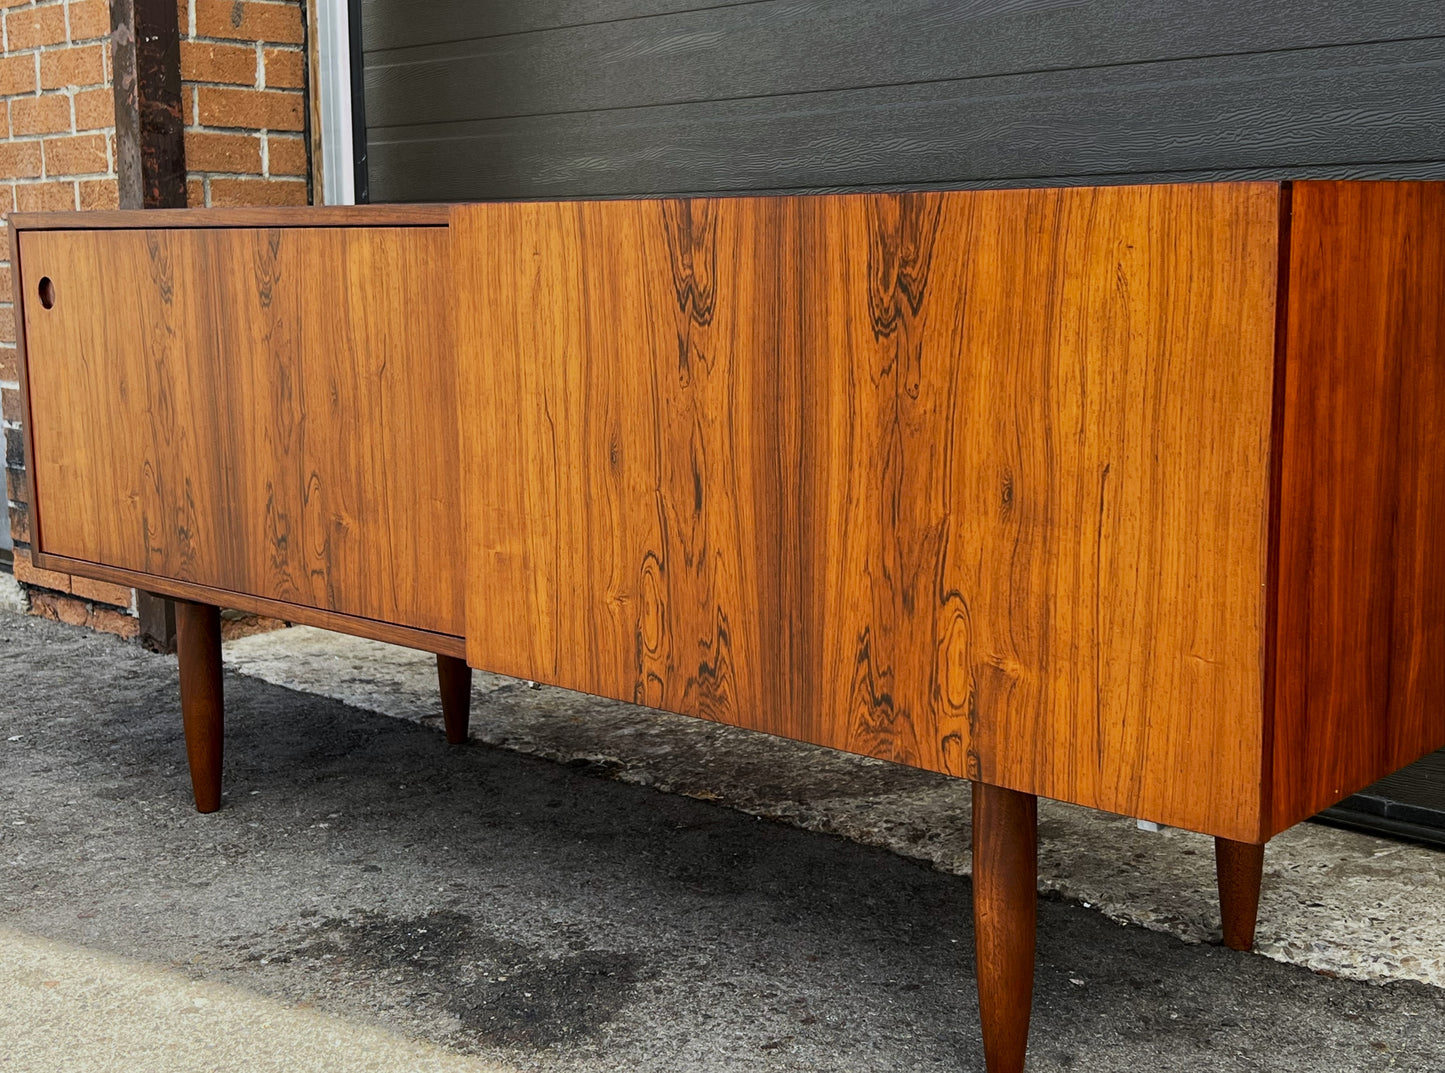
199	652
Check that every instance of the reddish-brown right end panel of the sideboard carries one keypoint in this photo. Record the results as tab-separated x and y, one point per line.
1360	684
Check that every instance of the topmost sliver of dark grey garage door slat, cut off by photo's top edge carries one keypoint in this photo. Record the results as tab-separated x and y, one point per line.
395	24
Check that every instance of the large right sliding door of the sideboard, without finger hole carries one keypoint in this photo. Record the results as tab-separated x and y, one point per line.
969	482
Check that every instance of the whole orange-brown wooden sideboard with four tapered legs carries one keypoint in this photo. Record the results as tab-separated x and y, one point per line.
1129	498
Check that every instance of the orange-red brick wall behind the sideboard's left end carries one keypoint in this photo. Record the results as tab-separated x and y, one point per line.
243	69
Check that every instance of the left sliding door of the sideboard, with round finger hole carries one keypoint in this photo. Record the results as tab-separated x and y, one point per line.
267	412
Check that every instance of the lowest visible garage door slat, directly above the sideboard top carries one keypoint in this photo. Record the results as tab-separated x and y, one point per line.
1313	110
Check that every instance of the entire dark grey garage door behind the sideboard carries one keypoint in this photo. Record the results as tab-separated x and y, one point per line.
541	99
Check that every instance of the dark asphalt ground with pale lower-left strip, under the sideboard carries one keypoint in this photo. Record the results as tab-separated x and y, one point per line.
371	896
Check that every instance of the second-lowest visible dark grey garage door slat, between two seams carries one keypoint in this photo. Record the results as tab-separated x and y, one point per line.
791	47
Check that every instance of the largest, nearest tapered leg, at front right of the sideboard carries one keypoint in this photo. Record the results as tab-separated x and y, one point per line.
1006	872
